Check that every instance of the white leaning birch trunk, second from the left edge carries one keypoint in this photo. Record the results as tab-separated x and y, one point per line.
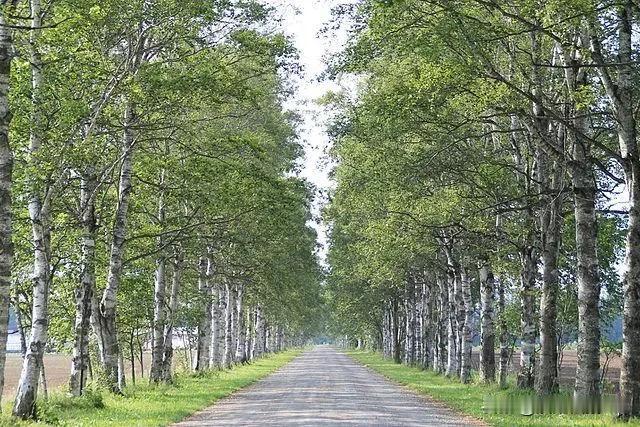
25	402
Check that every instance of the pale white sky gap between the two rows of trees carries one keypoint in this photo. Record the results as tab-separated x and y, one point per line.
302	21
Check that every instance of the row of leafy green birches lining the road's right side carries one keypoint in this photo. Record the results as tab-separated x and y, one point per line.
488	168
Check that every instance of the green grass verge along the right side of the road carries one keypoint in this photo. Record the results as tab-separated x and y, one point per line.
469	398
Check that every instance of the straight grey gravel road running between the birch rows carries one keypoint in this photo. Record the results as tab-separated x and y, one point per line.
324	387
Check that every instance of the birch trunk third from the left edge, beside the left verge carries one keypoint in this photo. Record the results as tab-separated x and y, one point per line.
86	285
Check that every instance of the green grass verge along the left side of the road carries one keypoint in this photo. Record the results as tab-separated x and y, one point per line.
146	405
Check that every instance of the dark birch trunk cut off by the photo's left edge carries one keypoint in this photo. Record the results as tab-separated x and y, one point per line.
6	168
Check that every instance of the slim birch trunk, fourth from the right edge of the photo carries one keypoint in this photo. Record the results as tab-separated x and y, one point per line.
527	320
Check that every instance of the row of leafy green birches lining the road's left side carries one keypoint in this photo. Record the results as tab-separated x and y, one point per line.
147	185
